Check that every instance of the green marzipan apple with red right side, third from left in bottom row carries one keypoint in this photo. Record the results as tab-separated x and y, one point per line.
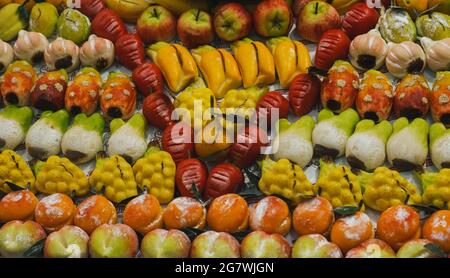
113	241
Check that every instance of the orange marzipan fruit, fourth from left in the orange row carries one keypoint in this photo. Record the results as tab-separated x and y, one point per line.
143	214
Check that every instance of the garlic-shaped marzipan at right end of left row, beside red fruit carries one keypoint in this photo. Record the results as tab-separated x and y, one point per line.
97	52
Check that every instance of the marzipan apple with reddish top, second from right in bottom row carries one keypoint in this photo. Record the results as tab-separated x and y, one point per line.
372	248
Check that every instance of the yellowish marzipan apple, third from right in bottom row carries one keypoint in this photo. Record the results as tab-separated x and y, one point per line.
315	246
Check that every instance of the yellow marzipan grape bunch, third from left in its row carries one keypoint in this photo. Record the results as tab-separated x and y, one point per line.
115	176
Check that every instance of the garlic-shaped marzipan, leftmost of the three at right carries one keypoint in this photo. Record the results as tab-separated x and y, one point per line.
368	51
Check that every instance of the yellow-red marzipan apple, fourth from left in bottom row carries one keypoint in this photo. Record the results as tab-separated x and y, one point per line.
162	243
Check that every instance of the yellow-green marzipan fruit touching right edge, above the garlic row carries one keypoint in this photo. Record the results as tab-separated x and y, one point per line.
435	26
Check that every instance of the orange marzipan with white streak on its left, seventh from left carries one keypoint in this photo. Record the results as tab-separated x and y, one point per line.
270	215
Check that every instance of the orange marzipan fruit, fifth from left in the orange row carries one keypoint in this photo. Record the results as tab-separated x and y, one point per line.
184	212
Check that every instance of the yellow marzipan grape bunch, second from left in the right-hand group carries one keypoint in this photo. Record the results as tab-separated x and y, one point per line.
339	185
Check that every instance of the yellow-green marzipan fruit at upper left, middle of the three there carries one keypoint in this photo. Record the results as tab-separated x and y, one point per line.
43	18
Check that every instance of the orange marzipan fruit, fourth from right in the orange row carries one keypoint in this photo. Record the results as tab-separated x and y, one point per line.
314	216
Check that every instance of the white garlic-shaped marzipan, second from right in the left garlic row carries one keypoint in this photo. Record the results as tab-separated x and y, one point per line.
62	54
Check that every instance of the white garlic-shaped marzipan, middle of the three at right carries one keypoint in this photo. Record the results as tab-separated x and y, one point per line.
405	57
